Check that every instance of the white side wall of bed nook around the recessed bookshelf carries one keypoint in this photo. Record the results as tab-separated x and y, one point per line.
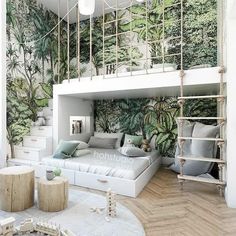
63	108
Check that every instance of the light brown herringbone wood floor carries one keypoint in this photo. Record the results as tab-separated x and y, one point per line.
197	210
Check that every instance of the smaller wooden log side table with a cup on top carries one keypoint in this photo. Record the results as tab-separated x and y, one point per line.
53	194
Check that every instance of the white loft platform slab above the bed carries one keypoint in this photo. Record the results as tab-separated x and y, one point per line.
196	82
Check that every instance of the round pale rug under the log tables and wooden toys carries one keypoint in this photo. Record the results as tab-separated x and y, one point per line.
79	218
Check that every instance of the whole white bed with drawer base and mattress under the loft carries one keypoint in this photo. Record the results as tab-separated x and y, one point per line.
106	168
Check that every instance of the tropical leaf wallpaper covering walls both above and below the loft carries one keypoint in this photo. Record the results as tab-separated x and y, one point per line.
32	64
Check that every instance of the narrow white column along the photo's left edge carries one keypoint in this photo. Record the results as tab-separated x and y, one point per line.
3	83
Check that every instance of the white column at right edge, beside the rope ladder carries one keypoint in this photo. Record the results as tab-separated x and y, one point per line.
231	101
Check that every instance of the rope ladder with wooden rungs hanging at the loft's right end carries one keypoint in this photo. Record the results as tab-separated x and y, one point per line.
221	120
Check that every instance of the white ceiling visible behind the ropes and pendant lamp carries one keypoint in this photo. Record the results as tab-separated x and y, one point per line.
53	6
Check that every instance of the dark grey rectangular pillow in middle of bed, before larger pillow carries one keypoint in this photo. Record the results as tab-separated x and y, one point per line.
108	143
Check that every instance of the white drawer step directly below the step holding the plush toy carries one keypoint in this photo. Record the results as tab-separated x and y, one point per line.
38	142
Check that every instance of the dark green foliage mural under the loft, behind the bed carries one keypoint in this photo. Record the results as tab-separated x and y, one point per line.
150	117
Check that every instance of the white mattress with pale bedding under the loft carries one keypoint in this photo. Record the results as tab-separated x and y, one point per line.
108	162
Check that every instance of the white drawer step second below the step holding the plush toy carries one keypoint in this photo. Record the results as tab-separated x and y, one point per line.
29	153
